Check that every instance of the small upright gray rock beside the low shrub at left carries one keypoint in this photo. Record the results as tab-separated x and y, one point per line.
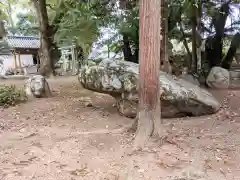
37	86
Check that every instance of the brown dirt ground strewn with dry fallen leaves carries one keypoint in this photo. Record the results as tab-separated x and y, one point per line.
62	138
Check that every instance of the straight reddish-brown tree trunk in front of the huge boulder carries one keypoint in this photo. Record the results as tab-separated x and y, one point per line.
149	120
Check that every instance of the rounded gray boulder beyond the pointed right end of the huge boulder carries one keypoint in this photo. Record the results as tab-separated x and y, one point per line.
218	78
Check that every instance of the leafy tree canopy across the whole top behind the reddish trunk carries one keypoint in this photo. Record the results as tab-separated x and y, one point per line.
81	23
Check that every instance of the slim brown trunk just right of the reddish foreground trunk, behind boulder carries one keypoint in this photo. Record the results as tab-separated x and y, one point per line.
164	40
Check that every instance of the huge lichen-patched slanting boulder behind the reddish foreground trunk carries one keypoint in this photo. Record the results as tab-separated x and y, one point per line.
120	80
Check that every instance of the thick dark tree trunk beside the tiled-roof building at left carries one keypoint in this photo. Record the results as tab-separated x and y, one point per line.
46	39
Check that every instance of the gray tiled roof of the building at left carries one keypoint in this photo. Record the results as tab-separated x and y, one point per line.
27	42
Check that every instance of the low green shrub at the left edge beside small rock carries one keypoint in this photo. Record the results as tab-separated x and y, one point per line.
10	96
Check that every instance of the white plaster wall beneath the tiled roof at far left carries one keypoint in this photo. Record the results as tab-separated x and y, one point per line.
8	62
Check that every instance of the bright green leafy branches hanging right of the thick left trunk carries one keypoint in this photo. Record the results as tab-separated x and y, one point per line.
79	22
